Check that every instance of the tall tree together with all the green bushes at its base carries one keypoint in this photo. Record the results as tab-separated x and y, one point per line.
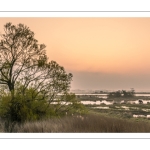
29	84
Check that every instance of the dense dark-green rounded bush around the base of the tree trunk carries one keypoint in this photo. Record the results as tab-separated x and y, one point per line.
22	109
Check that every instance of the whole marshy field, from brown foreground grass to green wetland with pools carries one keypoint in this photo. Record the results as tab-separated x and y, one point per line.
119	116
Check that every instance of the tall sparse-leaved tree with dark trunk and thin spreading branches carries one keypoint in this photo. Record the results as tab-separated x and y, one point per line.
24	67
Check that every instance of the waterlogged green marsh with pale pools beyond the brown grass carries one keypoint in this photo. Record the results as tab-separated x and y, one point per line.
136	107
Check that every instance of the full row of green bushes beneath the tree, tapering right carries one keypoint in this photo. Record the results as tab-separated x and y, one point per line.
24	107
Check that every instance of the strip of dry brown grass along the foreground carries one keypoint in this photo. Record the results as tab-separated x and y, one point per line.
91	123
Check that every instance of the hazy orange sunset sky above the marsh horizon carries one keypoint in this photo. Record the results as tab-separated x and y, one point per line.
101	53
